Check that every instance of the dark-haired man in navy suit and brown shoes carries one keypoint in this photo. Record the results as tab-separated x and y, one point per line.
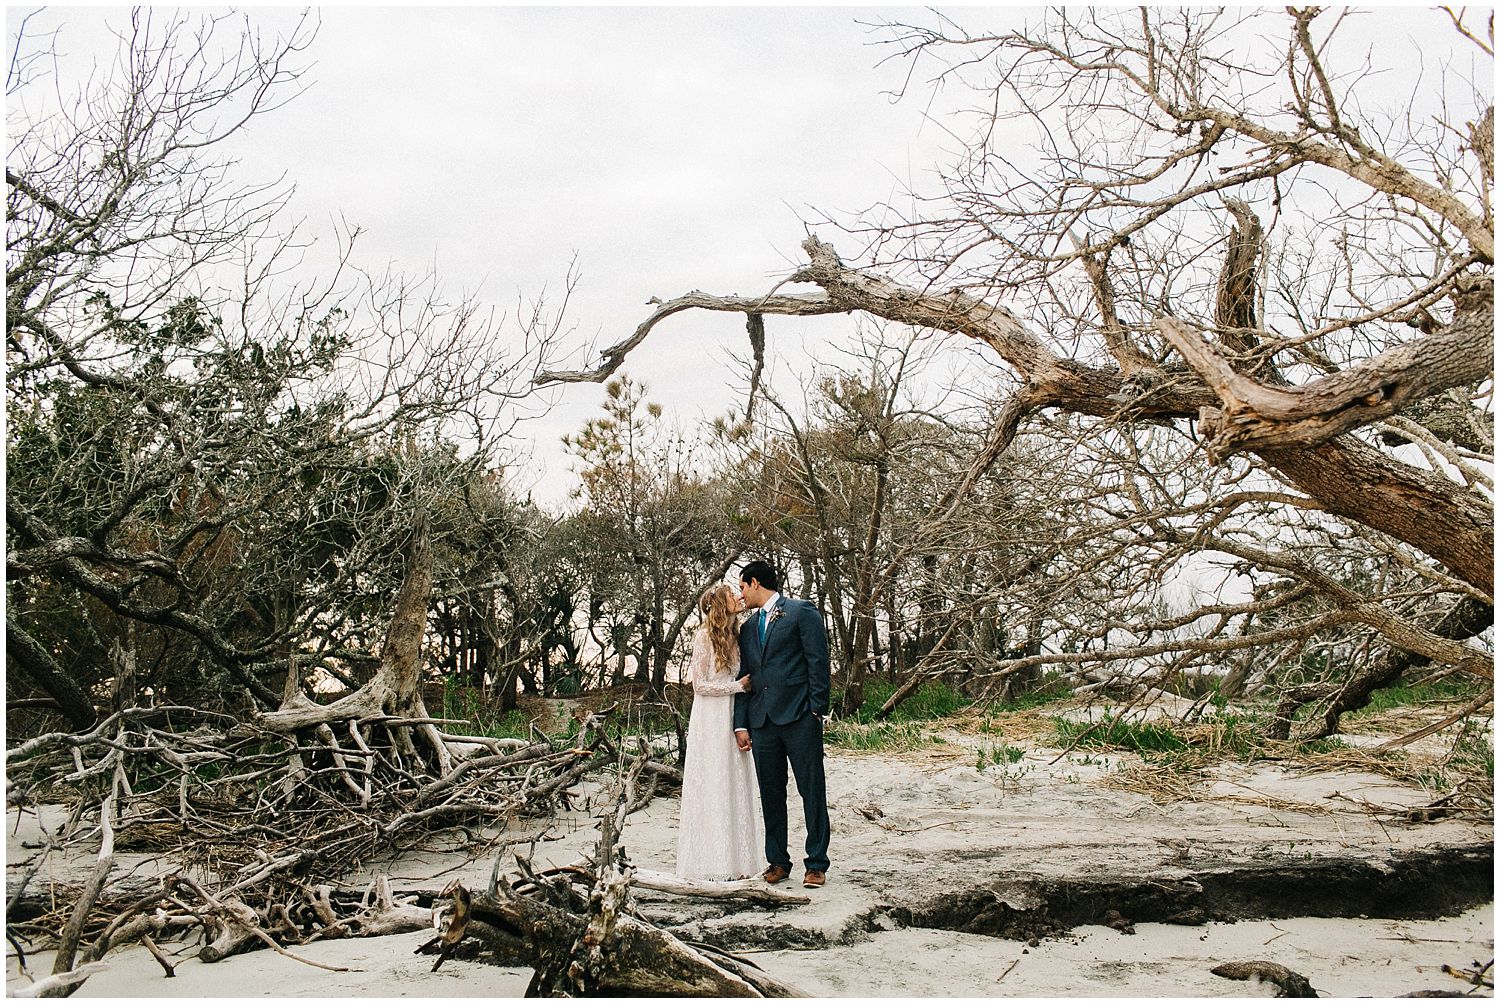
784	651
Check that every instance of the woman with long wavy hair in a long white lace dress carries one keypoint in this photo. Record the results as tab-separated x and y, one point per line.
721	831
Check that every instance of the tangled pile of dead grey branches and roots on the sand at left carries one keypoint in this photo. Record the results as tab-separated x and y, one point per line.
259	823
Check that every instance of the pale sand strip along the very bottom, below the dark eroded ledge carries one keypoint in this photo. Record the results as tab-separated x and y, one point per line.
1342	958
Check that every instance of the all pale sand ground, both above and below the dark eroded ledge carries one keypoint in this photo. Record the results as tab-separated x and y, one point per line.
947	825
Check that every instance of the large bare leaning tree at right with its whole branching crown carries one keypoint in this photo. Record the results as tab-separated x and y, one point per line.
1255	362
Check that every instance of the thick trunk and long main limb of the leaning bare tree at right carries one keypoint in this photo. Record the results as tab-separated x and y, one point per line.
1342	475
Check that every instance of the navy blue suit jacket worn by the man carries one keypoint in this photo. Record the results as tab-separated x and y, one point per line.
790	672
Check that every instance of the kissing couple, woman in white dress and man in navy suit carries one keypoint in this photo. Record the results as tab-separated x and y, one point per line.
760	673
